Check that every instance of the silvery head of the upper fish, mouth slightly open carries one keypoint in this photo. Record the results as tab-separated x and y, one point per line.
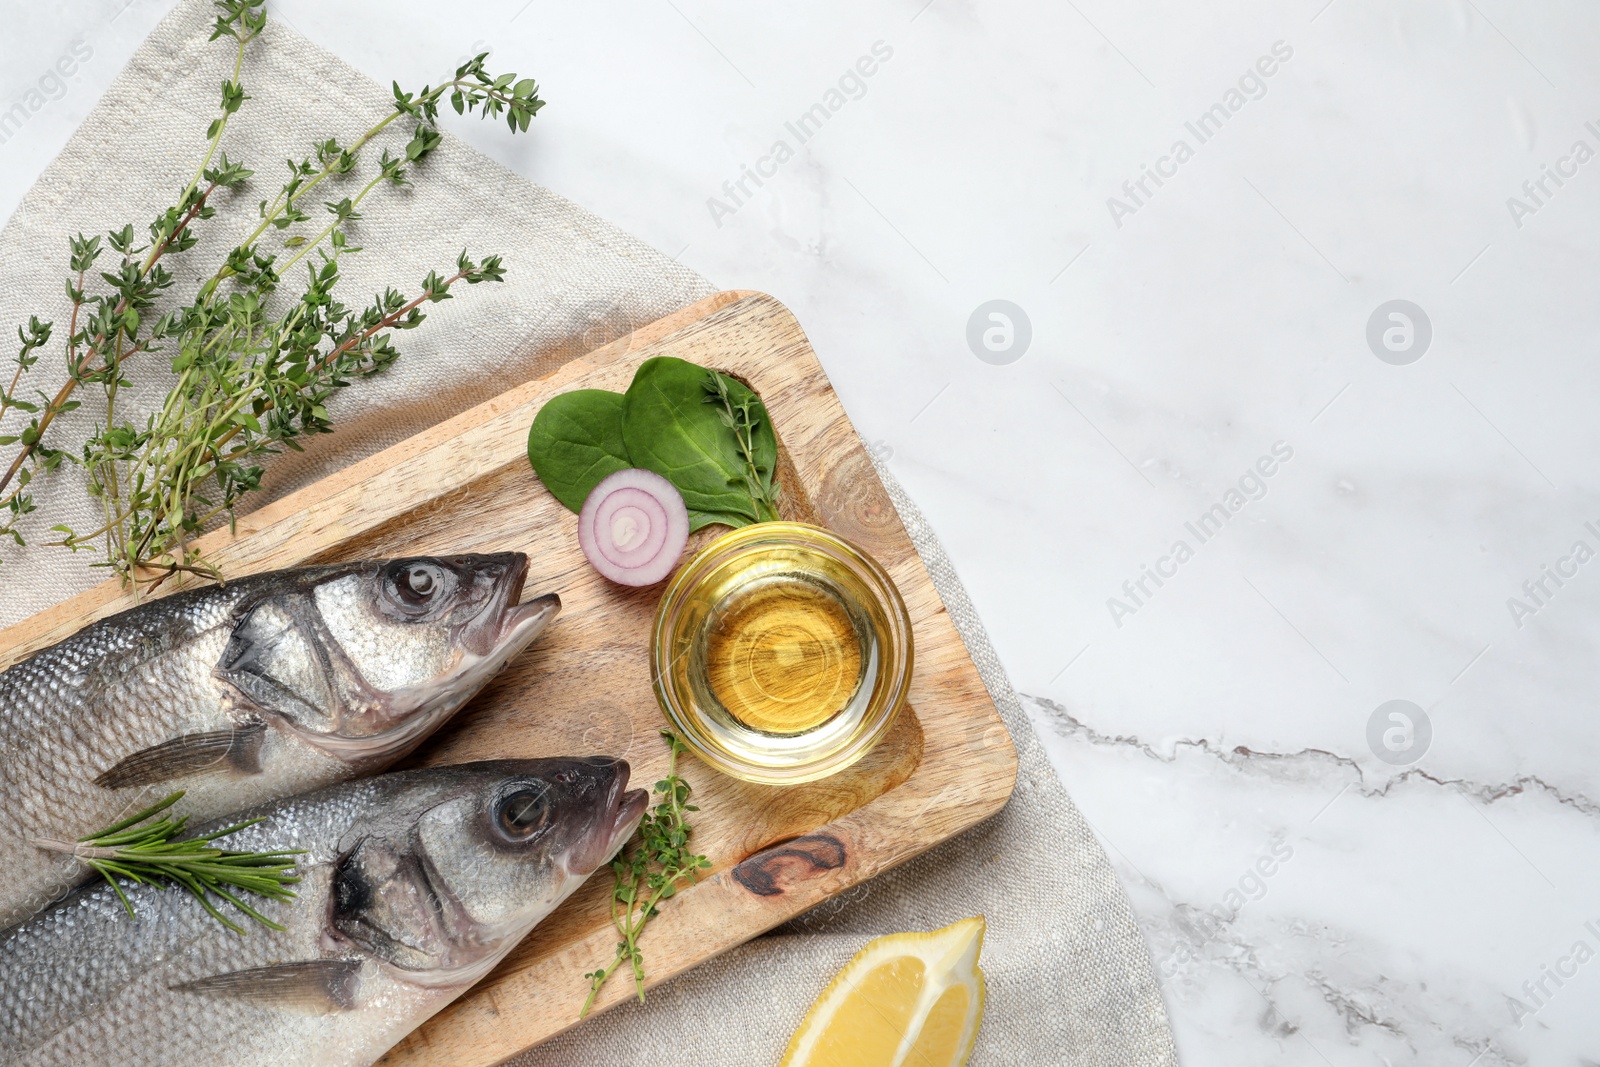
367	660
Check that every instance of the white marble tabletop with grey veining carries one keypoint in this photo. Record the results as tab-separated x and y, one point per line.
1311	893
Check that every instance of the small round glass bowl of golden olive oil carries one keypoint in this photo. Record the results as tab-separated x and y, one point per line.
782	653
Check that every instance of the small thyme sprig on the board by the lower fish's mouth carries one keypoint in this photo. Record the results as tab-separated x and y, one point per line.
649	873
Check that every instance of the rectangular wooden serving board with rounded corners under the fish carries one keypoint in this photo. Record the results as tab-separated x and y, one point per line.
585	689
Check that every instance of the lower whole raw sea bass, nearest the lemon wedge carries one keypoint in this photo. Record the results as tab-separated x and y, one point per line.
415	885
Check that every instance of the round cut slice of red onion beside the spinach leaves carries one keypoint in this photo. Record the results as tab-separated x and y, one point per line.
634	527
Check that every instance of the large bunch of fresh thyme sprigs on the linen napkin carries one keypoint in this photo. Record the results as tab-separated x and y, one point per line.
250	370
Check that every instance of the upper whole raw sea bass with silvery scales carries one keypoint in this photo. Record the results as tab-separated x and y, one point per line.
266	687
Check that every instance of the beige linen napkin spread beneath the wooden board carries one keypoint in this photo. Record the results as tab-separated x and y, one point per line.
1070	977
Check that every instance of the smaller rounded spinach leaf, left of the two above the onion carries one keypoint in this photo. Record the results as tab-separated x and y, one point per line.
575	442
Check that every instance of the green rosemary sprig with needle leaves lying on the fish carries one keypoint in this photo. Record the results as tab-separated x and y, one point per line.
158	855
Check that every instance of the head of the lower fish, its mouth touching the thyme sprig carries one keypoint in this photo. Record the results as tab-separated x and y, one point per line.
468	861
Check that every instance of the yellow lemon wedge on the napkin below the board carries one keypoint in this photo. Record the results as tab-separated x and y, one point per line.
905	1001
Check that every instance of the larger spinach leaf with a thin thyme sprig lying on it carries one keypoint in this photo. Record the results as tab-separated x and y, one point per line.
710	436
